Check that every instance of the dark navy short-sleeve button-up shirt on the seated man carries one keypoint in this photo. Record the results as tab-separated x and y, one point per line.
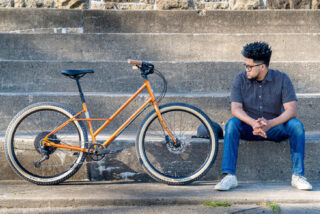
263	99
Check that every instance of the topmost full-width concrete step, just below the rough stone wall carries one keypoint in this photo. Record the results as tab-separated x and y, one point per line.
98	21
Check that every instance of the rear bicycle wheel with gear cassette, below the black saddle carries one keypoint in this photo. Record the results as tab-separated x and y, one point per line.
43	164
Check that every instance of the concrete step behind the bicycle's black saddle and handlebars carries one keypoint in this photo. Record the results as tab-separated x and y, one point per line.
117	76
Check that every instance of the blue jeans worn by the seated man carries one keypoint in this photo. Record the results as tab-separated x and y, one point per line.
236	129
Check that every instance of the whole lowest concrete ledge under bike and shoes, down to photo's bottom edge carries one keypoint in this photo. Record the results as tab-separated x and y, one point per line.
134	197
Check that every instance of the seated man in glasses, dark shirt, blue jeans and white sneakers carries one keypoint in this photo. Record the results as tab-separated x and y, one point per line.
263	103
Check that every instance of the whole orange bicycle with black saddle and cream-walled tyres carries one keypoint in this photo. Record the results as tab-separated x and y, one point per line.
47	143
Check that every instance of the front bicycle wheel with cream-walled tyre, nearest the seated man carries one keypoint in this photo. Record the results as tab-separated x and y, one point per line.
187	160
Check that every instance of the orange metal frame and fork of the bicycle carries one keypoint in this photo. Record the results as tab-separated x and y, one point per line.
93	134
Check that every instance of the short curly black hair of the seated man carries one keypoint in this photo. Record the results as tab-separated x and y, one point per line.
258	51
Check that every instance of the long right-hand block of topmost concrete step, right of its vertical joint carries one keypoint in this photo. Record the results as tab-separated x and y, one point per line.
210	22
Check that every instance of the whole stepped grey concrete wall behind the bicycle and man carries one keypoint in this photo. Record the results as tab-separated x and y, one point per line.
198	53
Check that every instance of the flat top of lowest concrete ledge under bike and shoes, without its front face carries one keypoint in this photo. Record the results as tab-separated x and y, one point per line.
21	194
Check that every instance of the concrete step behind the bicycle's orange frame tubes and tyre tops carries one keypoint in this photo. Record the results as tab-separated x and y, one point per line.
103	105
